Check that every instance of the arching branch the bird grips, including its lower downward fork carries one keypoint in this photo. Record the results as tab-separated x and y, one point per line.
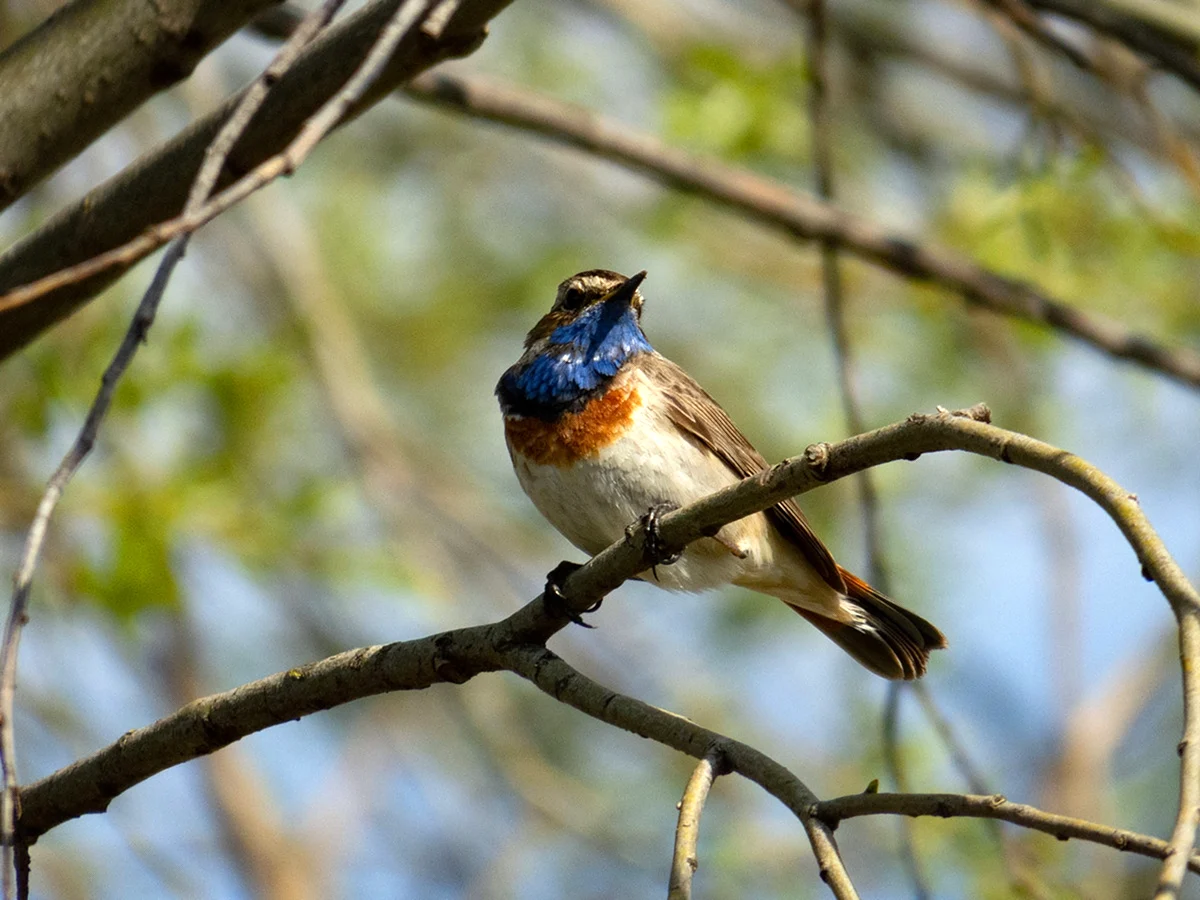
517	644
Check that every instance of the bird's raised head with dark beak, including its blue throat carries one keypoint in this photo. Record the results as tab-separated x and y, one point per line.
591	332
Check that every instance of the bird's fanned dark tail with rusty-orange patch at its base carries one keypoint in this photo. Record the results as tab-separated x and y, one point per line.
885	638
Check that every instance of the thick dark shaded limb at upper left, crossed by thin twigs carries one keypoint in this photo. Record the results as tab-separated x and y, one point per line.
155	188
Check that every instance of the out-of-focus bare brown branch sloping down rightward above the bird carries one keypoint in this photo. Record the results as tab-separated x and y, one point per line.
801	217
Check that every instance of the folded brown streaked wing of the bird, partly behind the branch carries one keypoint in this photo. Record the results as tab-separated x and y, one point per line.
698	415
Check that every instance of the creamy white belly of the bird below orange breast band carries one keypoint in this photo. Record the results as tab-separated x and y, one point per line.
595	500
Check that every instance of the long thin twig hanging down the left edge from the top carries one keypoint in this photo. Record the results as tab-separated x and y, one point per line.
214	161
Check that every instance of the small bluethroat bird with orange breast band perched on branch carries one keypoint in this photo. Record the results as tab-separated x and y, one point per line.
604	431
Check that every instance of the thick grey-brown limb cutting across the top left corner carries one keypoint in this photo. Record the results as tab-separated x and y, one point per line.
88	67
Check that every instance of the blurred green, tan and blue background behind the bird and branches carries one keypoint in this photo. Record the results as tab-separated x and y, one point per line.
308	458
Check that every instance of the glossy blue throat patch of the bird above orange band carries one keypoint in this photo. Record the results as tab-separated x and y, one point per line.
581	358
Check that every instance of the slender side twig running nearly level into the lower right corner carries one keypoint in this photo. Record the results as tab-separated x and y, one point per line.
953	806
